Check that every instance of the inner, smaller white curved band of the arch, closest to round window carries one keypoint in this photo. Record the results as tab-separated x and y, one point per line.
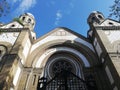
38	63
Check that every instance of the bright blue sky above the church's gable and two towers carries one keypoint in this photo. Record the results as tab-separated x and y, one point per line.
50	14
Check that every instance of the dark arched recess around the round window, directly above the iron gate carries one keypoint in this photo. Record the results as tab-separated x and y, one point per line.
62	61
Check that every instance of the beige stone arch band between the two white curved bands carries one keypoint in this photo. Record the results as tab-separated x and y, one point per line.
86	51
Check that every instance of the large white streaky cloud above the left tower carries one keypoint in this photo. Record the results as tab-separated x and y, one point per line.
25	5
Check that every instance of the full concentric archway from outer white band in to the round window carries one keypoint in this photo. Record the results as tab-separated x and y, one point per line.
47	52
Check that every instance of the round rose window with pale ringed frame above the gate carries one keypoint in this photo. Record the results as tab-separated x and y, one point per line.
58	64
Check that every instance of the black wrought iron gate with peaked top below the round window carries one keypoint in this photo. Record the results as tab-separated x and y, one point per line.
62	81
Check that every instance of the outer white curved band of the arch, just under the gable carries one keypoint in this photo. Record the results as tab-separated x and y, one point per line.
61	39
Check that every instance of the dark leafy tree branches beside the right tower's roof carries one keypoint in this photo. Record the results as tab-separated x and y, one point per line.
115	10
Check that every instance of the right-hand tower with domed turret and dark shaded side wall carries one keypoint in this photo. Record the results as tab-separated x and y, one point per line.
105	36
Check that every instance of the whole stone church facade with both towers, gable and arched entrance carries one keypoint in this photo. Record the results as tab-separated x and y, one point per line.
62	59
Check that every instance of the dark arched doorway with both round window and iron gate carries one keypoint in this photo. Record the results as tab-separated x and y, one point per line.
64	71
